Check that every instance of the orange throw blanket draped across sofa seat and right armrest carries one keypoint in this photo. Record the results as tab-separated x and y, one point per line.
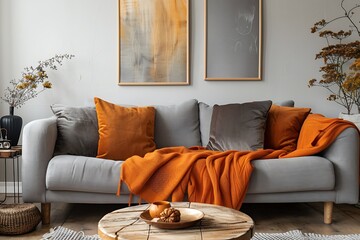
215	177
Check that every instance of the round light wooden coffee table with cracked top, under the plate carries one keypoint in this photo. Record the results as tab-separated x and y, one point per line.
218	223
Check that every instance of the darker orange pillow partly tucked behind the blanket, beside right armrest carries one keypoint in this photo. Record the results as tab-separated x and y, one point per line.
283	127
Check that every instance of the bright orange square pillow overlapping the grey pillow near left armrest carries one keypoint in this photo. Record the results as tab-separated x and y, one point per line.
124	131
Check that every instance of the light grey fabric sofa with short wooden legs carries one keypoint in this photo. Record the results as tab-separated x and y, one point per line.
49	175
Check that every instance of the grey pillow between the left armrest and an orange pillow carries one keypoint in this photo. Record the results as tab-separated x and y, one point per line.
77	130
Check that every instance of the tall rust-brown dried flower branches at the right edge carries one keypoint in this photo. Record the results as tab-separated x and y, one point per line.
342	81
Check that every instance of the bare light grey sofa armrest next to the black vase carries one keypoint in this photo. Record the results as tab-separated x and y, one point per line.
39	138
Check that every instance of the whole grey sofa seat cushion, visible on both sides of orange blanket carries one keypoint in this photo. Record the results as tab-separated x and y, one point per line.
88	174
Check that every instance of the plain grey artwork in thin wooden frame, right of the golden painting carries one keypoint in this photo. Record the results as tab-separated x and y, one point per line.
233	39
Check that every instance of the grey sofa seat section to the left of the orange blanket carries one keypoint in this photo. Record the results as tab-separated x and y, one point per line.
84	174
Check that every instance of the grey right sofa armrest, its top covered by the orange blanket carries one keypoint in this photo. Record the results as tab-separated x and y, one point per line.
344	154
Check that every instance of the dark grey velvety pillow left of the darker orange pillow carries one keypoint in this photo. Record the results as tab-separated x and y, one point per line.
238	126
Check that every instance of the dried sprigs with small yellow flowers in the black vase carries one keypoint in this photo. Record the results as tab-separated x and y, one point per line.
26	88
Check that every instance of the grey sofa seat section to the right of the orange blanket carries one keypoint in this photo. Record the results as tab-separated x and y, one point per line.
292	175
